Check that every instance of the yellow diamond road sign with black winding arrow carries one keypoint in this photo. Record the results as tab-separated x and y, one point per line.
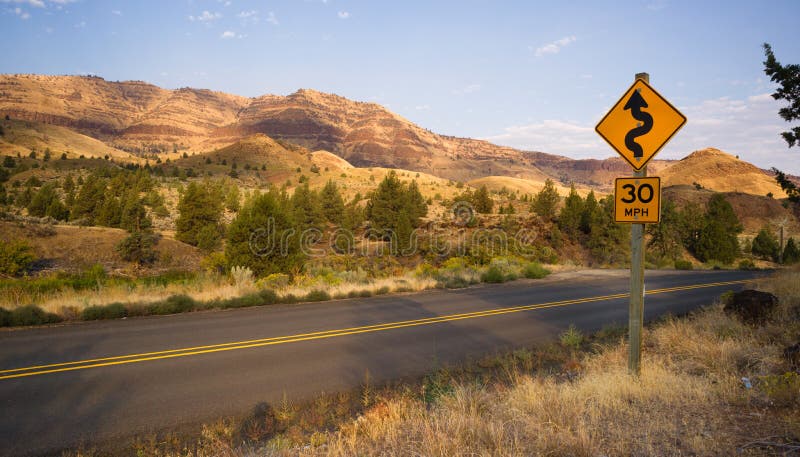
640	124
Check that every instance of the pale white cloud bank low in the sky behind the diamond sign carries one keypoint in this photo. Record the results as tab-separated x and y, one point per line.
749	127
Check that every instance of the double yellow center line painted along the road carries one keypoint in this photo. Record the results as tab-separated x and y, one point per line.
198	350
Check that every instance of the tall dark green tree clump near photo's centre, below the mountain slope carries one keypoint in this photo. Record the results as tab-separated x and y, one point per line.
391	199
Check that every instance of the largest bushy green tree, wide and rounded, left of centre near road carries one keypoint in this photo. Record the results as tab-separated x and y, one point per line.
254	237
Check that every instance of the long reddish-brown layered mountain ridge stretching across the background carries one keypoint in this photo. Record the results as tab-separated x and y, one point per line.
145	120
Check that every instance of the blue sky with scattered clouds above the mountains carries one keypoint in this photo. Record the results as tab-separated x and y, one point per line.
532	75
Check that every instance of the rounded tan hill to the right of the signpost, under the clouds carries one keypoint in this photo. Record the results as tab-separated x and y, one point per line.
722	172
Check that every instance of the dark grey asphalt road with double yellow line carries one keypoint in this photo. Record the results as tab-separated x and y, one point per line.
104	381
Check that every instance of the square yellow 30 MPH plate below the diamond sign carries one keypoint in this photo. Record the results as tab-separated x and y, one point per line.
637	200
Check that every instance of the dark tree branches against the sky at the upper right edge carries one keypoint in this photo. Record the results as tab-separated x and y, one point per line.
788	78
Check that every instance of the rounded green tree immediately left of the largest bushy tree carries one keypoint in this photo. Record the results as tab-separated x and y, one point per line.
198	207
